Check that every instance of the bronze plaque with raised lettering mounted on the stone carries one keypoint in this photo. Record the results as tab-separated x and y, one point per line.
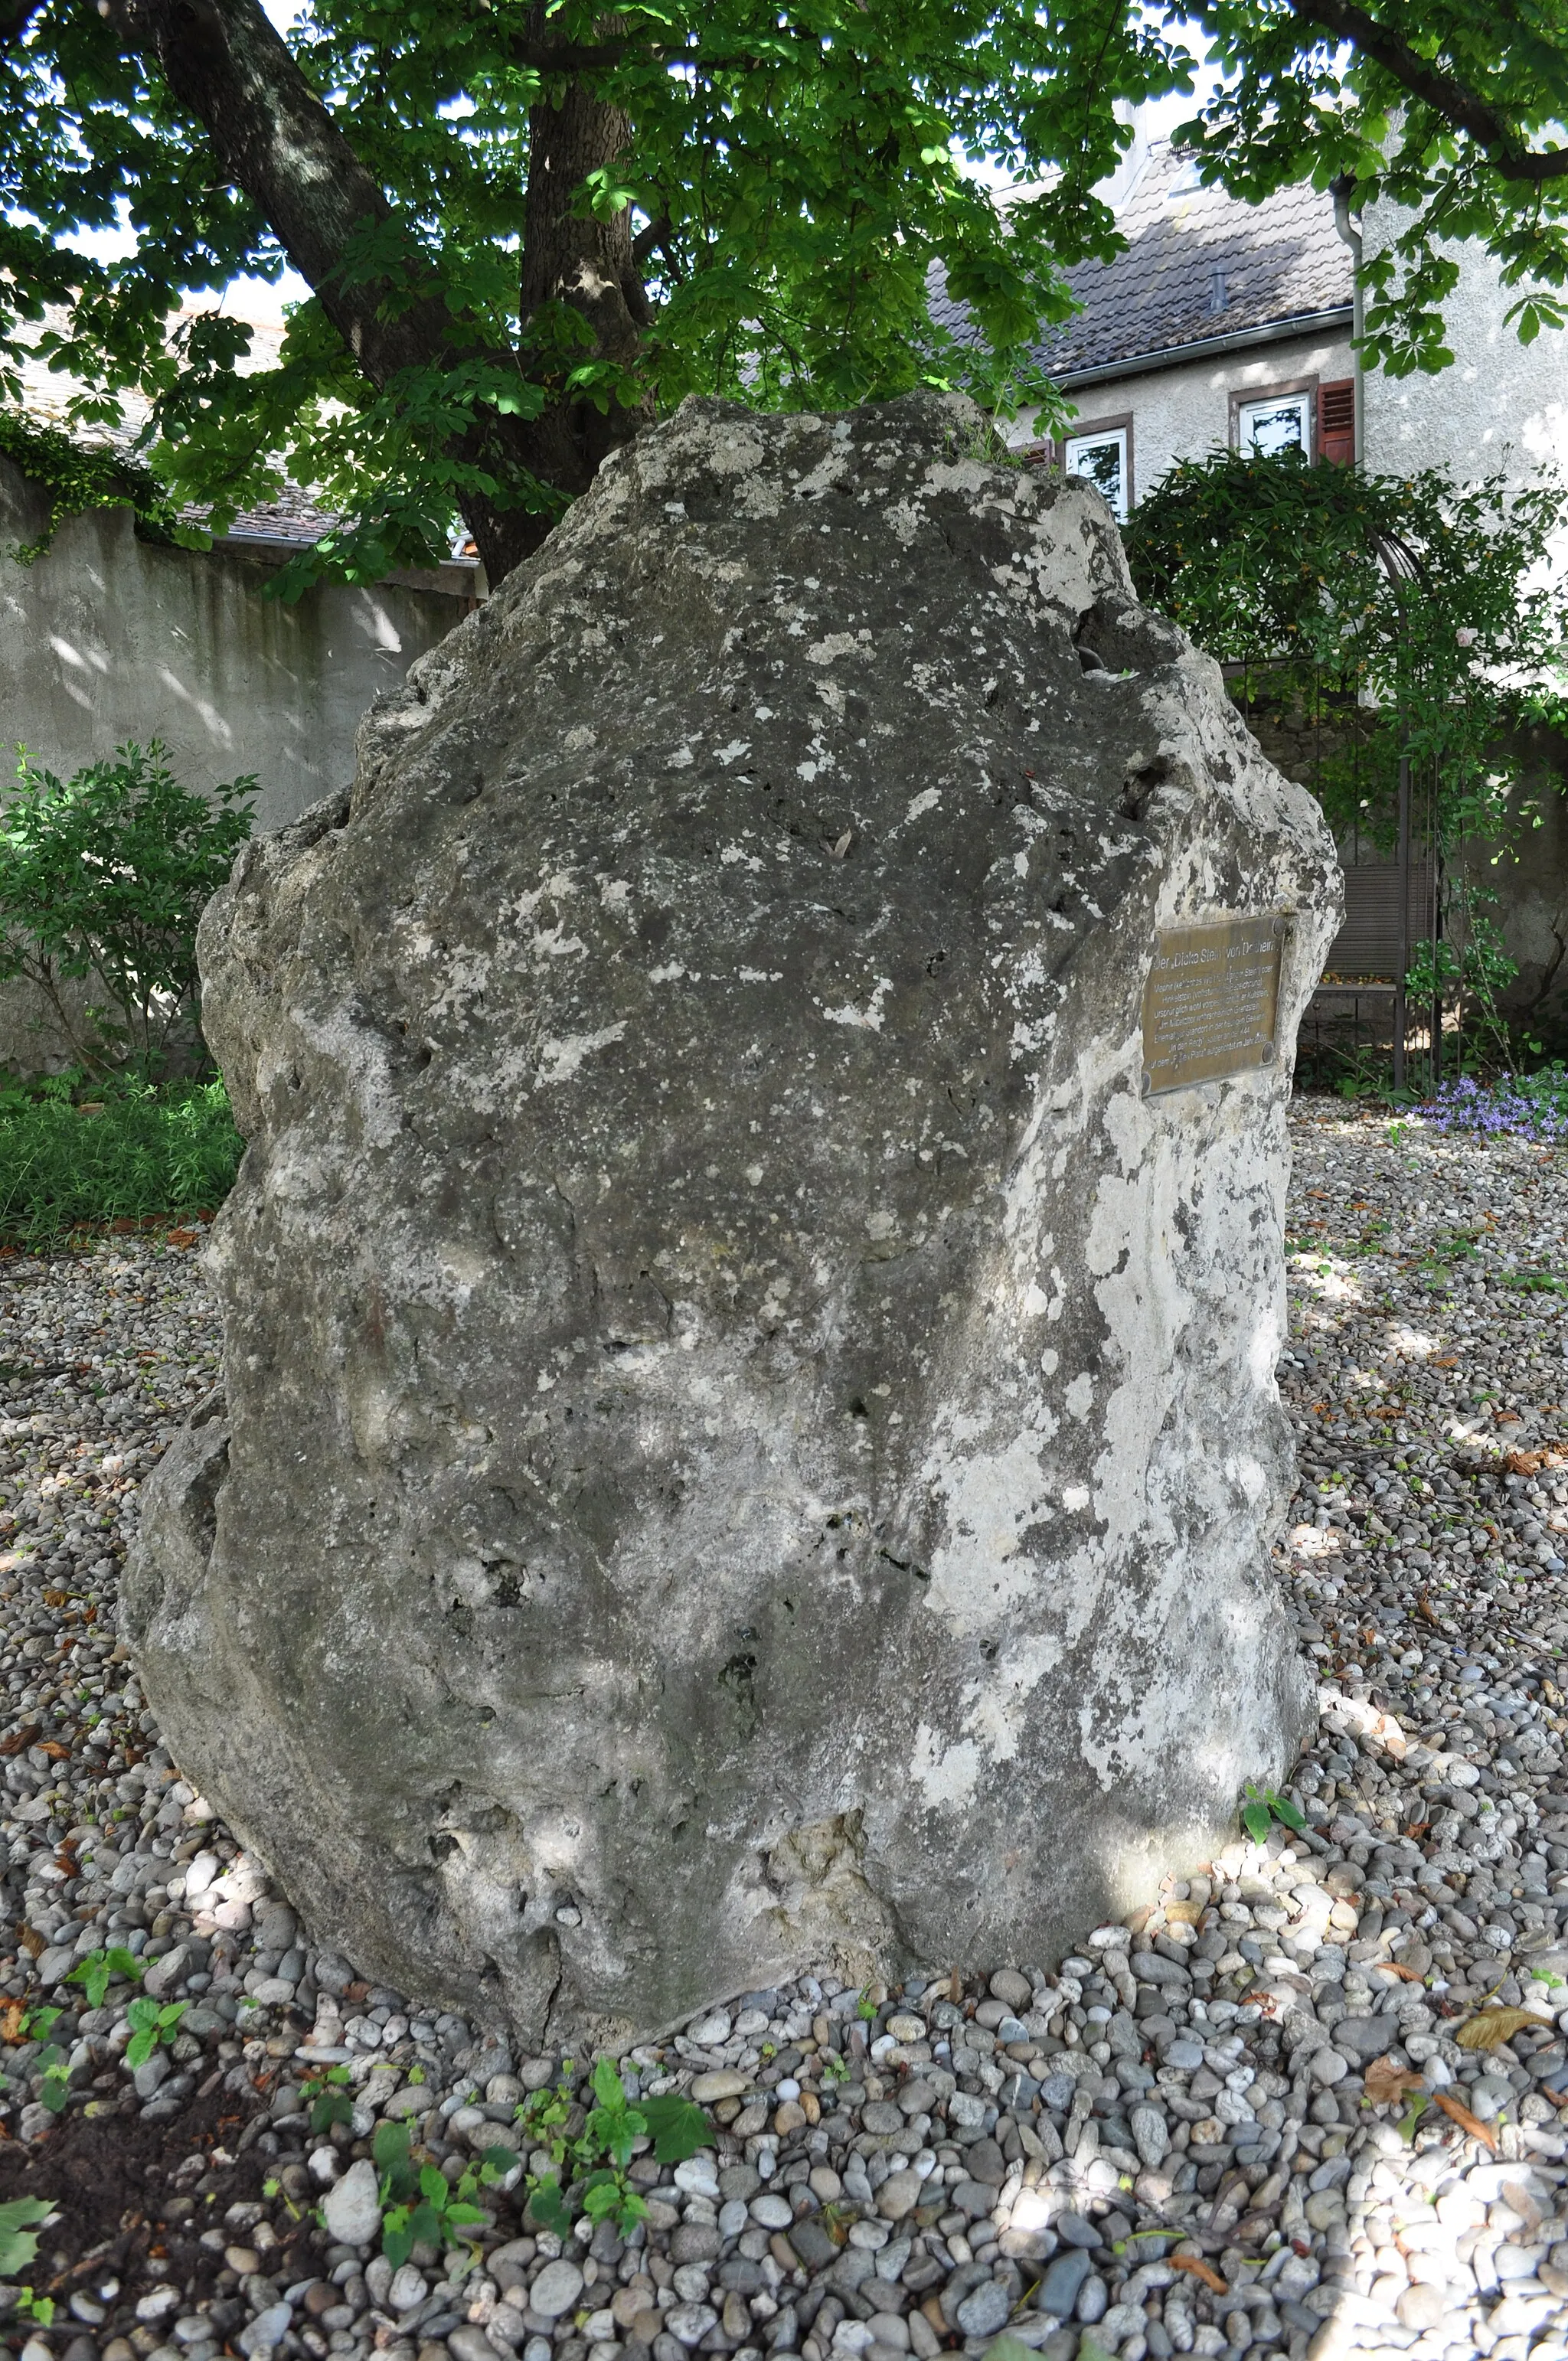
1210	1002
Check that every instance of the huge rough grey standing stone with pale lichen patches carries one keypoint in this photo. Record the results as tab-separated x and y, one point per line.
747	1437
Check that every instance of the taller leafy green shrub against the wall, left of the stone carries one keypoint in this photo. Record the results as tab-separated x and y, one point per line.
103	884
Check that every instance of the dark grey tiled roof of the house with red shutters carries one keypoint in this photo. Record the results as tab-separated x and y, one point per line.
1281	261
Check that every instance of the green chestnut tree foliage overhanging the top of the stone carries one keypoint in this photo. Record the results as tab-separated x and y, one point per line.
530	225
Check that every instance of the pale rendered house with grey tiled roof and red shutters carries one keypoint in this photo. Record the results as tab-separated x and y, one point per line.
1227	325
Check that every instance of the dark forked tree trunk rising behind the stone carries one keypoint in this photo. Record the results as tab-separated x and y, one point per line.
277	143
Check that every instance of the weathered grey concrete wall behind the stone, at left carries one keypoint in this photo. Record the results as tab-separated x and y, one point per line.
110	639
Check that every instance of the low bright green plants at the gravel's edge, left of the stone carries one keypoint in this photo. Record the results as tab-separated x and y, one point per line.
129	1151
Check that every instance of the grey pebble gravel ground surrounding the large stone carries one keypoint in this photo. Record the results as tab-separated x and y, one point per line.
1250	2121
